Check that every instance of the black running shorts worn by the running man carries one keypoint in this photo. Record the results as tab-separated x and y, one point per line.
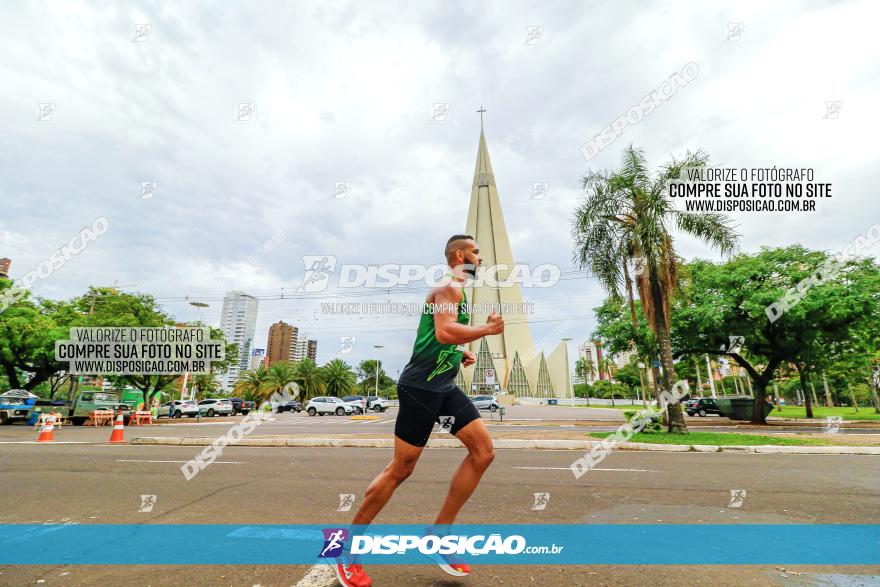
420	409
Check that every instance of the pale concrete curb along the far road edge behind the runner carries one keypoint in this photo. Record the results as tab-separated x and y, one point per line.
511	444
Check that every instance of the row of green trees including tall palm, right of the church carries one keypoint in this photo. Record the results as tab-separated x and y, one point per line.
623	233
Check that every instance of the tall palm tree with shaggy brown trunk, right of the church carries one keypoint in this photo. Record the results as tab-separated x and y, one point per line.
626	216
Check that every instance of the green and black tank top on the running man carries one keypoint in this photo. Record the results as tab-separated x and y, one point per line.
433	365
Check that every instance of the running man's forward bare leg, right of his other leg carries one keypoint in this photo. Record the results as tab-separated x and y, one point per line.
481	453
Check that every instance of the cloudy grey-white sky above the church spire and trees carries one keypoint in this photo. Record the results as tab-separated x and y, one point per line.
345	92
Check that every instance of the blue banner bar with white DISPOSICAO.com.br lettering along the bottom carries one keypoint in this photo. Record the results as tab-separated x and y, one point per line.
527	544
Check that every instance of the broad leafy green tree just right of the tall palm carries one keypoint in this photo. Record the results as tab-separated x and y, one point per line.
731	299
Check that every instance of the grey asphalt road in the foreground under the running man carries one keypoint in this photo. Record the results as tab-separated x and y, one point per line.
83	483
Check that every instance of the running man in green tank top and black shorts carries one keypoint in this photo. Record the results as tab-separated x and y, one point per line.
427	392
